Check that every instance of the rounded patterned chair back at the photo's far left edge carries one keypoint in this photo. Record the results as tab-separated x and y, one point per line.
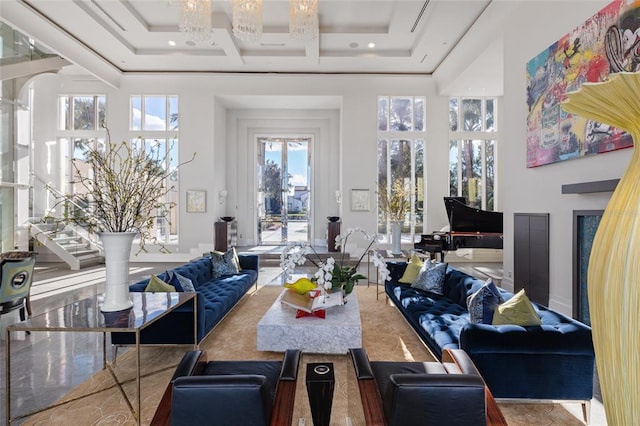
17	276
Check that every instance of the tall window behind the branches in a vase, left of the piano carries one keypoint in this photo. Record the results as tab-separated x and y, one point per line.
401	156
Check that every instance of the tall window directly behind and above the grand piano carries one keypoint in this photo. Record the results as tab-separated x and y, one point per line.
473	135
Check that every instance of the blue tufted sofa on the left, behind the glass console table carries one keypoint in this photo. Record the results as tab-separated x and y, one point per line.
216	297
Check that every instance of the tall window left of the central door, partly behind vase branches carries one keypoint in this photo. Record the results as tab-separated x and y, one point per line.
154	121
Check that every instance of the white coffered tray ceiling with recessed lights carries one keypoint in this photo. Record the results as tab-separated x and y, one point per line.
114	37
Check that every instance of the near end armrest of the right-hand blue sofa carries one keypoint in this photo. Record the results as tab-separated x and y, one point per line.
521	362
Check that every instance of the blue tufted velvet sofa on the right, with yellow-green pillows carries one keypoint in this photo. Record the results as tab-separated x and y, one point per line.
551	361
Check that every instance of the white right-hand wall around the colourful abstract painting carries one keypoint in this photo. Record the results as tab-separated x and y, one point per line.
538	190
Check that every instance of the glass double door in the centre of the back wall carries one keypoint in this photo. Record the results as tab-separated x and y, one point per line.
283	190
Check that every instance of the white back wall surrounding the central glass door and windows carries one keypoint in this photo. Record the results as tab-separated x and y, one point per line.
345	154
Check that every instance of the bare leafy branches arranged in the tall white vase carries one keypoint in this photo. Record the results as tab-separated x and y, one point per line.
122	191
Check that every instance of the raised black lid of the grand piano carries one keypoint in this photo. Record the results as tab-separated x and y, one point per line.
463	218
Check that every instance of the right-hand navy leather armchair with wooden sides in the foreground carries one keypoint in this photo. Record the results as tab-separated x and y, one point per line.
424	393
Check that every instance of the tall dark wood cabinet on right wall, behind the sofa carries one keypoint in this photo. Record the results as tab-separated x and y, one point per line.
531	255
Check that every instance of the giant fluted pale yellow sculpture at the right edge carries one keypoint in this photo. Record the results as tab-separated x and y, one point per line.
613	275
